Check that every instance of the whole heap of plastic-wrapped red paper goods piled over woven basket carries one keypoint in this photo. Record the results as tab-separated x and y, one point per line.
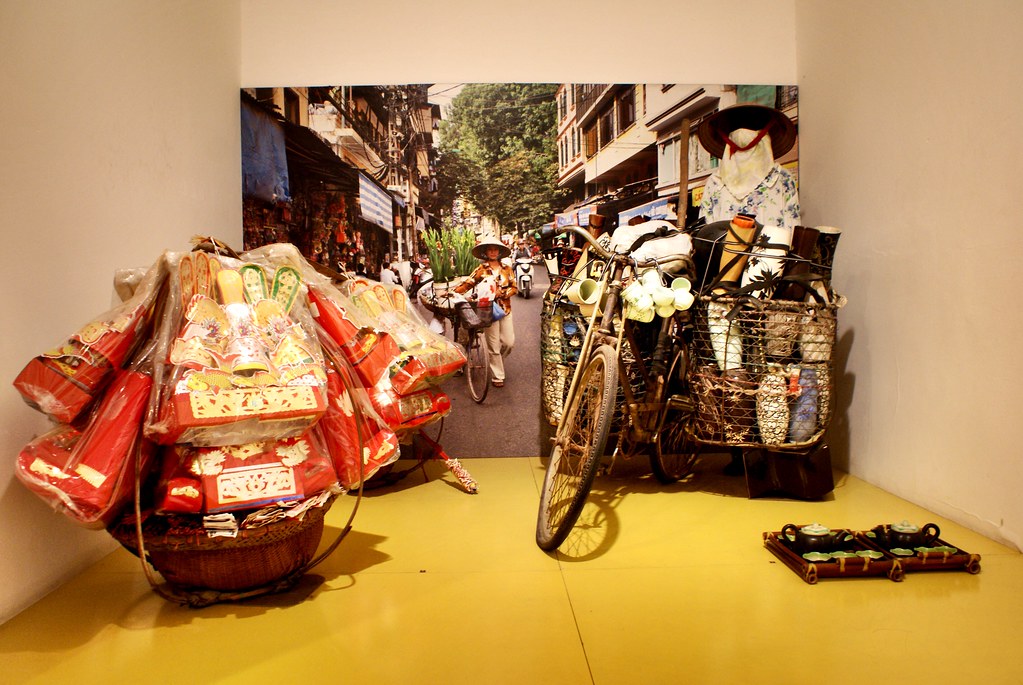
234	405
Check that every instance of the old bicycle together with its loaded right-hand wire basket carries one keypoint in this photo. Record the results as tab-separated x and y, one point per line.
748	372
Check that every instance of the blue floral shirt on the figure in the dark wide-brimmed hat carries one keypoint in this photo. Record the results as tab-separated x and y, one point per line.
774	203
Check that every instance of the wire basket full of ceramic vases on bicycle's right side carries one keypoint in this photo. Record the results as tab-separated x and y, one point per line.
762	348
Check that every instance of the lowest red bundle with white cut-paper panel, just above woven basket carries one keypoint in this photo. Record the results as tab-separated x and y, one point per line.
212	480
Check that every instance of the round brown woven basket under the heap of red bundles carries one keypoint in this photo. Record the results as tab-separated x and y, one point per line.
190	560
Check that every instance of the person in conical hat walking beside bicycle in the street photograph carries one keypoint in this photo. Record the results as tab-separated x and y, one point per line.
500	337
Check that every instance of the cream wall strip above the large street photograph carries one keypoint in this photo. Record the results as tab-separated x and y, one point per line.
467	41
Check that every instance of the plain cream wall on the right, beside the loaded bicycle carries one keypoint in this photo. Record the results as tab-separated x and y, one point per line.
911	143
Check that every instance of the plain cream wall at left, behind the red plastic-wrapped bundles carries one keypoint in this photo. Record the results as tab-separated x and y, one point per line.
119	140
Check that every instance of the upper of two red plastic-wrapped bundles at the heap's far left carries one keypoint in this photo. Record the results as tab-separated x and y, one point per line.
63	382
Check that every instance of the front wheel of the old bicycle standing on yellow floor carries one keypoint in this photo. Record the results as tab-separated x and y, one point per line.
583	437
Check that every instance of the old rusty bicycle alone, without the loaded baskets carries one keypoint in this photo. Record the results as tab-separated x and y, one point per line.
612	350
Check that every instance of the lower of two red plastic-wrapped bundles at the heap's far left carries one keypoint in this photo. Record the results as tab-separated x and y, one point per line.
90	475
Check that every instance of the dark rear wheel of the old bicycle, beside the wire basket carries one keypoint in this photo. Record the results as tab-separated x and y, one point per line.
676	452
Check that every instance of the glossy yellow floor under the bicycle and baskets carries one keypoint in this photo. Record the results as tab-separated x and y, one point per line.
662	585
